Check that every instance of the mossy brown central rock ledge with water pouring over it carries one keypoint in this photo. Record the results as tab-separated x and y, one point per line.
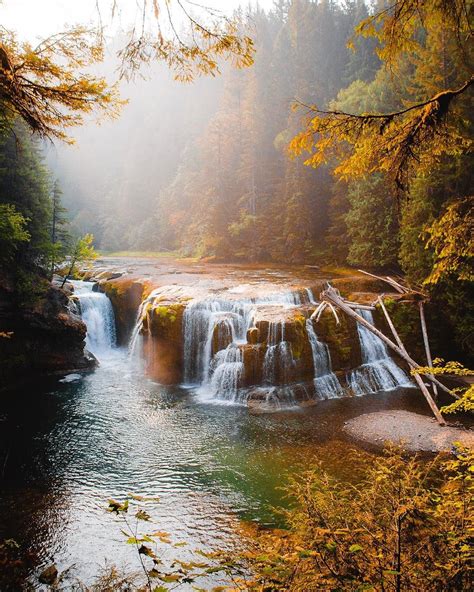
240	341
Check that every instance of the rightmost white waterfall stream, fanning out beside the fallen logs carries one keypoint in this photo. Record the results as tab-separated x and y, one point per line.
378	371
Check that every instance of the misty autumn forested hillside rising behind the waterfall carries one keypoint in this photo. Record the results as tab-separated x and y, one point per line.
211	170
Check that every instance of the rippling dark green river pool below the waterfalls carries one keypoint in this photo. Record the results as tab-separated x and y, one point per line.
67	447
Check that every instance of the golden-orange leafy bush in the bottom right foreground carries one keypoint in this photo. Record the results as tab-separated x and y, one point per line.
407	525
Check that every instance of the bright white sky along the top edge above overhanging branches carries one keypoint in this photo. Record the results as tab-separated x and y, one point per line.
40	18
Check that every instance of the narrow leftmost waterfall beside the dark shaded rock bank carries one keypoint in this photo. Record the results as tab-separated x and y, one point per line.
98	315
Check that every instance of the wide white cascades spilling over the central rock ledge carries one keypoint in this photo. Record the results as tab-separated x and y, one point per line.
215	342
